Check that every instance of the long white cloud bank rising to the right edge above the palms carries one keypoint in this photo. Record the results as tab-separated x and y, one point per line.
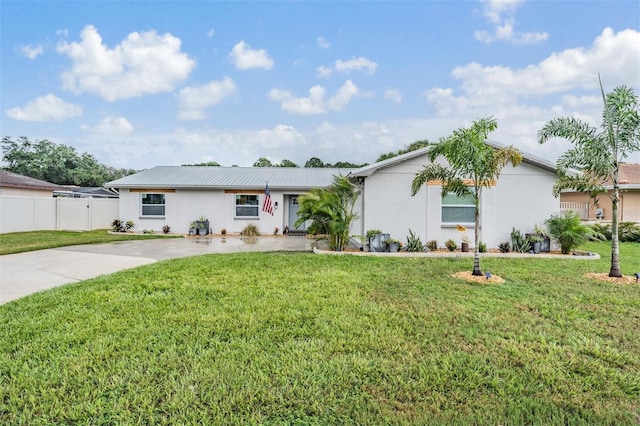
616	56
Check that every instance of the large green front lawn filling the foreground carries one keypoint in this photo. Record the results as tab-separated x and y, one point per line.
305	339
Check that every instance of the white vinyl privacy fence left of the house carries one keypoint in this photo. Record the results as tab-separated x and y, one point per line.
19	213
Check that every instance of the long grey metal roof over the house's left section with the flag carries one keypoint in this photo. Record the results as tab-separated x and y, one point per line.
203	177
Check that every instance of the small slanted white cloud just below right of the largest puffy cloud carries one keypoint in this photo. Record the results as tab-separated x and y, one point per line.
194	99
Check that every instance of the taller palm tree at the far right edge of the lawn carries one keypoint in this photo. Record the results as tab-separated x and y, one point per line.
598	153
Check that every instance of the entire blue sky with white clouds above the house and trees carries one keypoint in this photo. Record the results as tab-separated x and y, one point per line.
139	84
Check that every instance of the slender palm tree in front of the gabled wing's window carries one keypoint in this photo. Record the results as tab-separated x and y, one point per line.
472	165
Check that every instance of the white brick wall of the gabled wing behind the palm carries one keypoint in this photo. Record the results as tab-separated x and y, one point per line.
521	198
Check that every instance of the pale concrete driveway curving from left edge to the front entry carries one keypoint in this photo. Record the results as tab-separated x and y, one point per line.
26	273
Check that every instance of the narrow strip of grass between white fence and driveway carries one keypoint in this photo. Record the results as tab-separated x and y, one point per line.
18	242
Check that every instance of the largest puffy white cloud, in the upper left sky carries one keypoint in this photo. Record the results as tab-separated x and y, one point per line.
142	63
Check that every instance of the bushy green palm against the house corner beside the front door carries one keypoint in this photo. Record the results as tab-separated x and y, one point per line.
331	210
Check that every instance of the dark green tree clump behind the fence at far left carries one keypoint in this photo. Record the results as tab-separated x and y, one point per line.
56	163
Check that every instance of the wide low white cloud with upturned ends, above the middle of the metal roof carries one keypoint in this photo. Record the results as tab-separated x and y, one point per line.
315	103
